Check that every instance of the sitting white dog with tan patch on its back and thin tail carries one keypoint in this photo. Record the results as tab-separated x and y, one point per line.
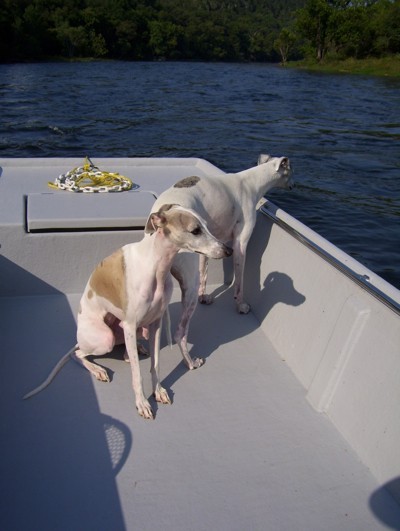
128	293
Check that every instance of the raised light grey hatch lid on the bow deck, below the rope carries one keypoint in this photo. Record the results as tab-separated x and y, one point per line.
68	211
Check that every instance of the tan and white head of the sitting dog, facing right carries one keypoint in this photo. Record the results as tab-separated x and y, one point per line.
187	230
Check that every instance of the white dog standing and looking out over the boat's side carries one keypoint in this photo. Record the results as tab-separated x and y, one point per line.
228	205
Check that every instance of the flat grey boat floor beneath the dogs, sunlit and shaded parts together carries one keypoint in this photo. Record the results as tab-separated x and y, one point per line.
239	449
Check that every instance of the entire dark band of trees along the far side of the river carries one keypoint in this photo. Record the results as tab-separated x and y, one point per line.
208	30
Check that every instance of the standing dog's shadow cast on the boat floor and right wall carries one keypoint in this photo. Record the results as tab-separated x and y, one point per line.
219	323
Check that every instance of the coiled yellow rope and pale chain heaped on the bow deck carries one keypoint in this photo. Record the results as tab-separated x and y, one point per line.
89	178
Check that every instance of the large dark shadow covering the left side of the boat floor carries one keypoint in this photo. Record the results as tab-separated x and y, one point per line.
57	444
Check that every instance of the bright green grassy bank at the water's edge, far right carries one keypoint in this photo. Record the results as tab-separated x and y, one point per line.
384	66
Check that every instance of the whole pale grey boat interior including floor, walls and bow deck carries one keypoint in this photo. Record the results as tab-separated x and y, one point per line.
291	424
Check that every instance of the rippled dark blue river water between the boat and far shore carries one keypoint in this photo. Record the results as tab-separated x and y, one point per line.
341	133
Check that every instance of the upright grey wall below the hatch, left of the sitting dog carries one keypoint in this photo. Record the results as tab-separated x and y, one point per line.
42	264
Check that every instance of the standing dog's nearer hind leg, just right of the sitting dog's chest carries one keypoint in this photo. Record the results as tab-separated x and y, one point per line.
186	271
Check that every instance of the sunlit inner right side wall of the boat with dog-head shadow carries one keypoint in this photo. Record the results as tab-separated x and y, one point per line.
341	342
